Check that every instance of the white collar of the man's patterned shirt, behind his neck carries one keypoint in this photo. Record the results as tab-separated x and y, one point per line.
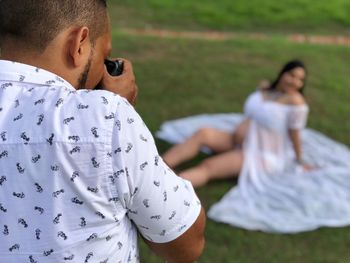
18	72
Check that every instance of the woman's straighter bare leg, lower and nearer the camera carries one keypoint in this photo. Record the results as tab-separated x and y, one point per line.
221	166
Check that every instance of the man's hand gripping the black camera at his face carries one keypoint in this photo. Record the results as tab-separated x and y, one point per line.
124	84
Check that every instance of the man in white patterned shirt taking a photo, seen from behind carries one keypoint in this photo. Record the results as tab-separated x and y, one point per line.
80	175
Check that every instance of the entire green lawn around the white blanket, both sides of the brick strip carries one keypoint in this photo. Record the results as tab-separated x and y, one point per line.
181	77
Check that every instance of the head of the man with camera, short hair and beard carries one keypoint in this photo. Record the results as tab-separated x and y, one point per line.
73	34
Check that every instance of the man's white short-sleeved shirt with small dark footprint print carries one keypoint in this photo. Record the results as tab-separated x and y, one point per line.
80	174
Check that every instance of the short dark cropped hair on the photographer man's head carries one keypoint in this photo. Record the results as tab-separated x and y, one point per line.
37	22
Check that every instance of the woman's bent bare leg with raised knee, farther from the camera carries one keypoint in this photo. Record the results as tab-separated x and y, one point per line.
217	141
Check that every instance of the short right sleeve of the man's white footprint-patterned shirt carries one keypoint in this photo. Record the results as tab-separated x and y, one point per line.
161	204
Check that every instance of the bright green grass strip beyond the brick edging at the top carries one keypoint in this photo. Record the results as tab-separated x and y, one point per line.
320	16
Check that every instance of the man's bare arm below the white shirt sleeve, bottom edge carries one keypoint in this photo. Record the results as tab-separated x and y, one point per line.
185	249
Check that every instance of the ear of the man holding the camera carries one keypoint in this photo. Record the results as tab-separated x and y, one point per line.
79	46
